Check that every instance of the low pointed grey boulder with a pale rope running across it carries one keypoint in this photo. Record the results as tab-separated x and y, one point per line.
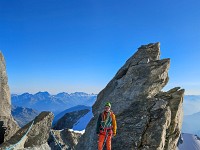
36	137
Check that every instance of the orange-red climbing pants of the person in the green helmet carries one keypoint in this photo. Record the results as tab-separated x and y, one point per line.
102	137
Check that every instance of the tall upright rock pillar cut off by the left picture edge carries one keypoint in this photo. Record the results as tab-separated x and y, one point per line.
5	105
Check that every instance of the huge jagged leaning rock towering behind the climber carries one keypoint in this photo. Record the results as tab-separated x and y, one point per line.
147	118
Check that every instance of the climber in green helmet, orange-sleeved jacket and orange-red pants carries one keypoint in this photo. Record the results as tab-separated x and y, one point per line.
106	127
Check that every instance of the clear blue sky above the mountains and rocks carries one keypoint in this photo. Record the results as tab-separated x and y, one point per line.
79	45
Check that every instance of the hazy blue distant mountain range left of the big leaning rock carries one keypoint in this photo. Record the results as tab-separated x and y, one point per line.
43	101
